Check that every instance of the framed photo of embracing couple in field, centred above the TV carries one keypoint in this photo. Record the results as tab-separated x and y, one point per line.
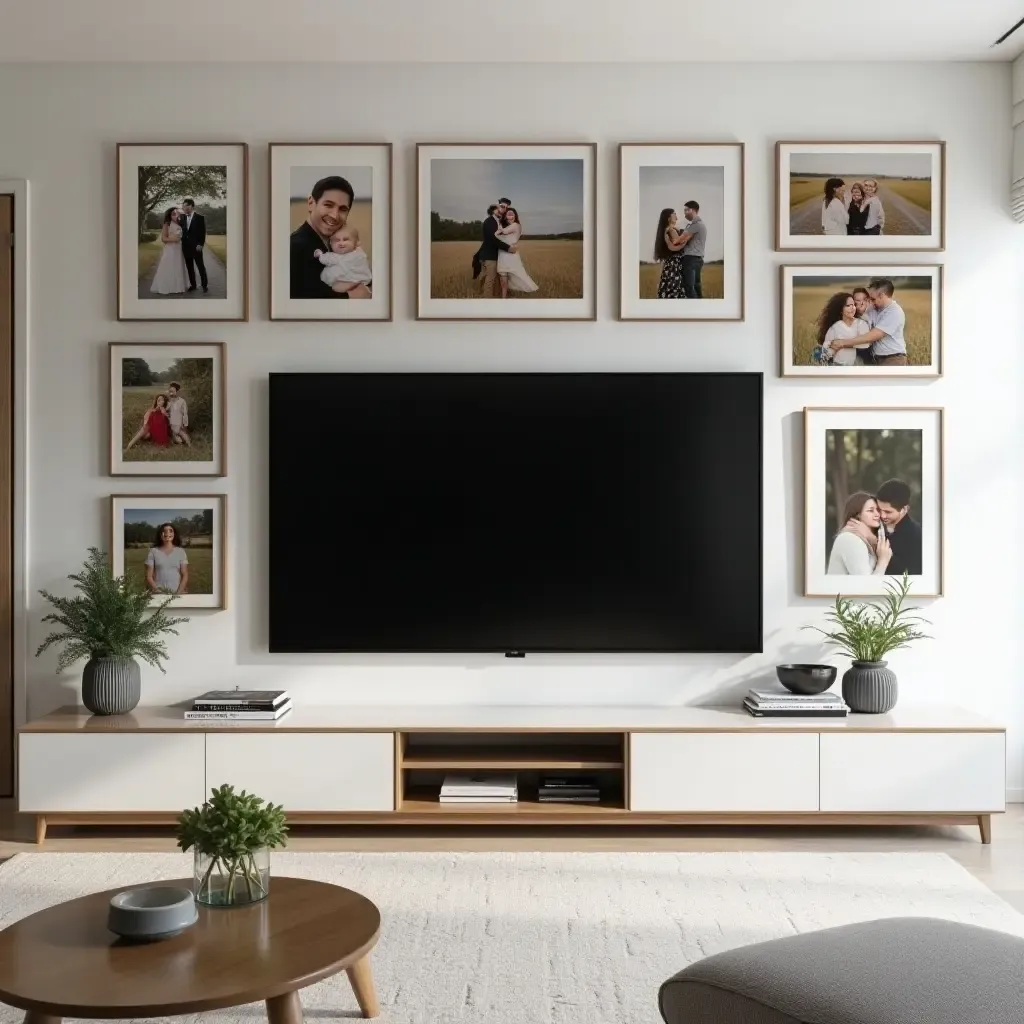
506	232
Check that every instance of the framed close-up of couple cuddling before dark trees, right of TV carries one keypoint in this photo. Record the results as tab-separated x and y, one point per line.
873	482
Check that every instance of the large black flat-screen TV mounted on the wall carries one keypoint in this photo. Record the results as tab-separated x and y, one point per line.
516	514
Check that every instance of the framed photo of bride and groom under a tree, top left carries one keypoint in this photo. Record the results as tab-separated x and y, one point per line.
183	232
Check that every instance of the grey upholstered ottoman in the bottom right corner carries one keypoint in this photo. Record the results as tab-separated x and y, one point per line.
894	971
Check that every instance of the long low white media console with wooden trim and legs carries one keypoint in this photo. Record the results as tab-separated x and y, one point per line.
659	765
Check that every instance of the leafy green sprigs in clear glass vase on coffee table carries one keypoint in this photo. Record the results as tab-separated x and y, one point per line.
233	835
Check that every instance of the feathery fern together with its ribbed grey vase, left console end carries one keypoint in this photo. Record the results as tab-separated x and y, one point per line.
112	622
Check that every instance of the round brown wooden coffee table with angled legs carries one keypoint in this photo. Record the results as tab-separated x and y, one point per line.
63	962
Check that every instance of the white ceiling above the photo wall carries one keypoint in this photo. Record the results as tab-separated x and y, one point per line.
517	30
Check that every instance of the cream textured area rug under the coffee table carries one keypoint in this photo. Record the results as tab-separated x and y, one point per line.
552	938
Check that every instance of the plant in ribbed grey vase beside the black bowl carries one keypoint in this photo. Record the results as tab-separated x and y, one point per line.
868	633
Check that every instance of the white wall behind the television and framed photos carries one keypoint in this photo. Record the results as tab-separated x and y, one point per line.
59	126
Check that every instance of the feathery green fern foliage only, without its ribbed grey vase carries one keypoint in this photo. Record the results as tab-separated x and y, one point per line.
113	617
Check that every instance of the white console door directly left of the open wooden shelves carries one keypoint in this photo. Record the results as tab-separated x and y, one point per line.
308	772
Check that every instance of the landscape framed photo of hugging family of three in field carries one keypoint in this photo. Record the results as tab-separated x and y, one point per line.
862	321
